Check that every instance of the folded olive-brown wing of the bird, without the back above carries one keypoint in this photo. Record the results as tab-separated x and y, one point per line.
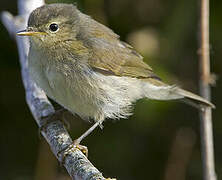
118	58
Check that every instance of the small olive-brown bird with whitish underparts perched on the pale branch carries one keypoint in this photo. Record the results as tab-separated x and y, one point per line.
84	66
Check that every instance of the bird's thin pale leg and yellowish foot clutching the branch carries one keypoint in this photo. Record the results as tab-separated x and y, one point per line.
76	142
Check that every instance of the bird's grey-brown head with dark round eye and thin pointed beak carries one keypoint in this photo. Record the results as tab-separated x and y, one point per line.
53	23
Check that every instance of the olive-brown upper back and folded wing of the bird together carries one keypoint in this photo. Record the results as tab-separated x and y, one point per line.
111	56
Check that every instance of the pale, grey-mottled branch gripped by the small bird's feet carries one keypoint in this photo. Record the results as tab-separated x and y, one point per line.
77	165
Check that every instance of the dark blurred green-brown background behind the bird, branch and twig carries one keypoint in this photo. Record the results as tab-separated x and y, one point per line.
161	140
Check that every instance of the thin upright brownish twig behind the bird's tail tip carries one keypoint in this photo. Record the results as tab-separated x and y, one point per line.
205	78
